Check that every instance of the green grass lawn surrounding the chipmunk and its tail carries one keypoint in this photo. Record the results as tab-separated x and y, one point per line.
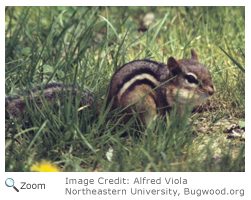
84	46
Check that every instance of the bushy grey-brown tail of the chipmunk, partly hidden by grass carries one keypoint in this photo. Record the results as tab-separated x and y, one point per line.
17	106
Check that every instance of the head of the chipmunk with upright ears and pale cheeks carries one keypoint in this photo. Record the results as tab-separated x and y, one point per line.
192	82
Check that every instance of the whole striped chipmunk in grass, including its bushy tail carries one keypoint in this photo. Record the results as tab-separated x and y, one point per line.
146	87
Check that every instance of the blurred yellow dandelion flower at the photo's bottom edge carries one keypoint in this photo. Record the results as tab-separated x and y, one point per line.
44	166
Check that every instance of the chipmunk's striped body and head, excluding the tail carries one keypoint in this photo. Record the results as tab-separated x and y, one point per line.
150	88
